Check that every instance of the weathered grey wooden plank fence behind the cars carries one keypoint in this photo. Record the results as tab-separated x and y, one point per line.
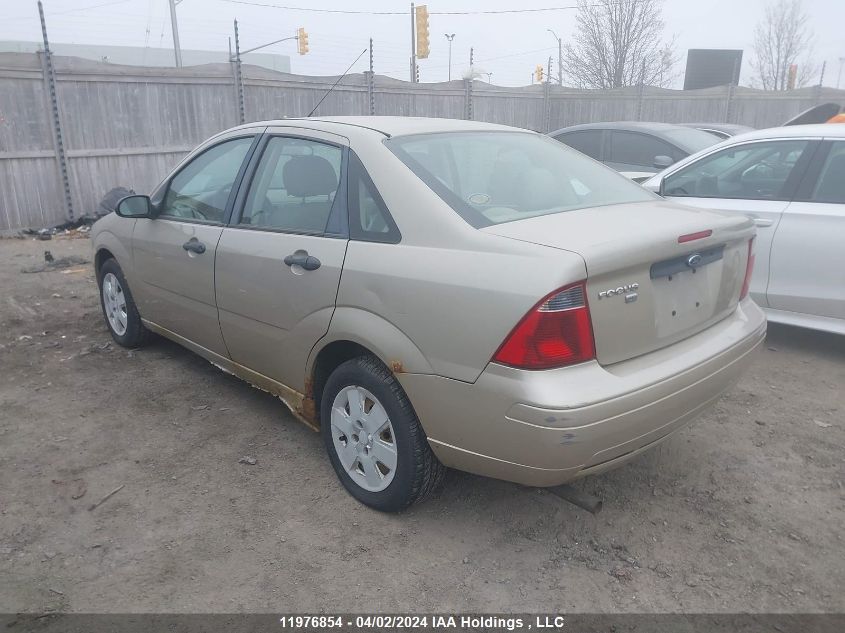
128	125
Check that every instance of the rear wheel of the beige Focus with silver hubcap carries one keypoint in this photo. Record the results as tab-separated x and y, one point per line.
373	437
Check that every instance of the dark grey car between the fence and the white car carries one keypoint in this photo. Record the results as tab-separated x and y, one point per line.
634	148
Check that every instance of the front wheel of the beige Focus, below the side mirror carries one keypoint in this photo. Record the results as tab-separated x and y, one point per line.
122	317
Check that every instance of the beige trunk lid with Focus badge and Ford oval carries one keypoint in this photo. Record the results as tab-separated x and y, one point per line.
645	288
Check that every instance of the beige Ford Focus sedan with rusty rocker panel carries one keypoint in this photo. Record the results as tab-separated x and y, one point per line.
432	293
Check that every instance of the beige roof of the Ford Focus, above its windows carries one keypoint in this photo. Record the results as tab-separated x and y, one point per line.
390	125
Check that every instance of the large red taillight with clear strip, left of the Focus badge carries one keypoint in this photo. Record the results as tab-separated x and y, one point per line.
556	332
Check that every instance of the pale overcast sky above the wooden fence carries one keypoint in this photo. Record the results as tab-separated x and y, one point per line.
508	45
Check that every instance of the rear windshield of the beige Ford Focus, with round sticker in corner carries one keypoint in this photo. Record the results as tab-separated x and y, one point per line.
494	177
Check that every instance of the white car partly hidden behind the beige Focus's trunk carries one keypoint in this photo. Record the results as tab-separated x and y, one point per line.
791	181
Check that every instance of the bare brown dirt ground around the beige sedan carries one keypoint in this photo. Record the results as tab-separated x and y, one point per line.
742	511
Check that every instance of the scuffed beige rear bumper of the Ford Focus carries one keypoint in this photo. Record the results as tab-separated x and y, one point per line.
544	428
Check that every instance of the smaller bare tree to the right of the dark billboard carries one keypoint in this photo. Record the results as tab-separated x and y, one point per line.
781	39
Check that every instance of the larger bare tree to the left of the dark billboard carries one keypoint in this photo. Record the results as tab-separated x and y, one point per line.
620	43
